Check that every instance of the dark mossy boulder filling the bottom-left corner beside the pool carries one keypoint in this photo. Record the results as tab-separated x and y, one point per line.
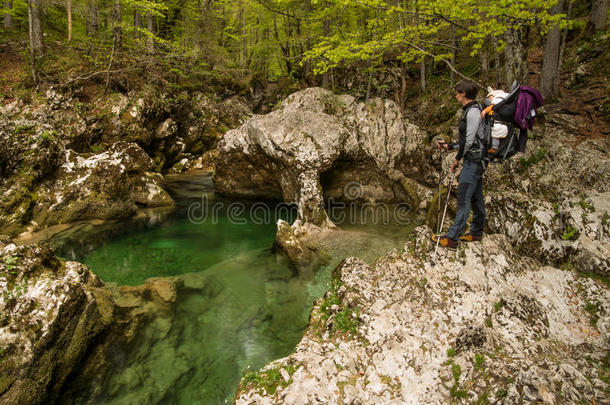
52	312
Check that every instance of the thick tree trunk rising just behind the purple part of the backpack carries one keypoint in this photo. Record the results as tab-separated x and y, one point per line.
550	62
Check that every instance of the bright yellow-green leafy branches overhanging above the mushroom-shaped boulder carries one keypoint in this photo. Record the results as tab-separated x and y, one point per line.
410	31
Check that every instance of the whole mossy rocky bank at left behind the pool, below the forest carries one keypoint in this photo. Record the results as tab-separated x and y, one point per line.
64	160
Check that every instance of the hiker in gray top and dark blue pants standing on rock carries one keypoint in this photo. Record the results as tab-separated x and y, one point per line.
470	188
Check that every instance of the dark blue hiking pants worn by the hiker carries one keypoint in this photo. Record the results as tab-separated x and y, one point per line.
470	194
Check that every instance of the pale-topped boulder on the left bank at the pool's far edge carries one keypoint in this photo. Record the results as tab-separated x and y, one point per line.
107	185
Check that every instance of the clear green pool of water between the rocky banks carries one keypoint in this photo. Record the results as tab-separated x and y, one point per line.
240	305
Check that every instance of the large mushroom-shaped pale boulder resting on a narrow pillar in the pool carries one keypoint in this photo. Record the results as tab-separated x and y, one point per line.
316	137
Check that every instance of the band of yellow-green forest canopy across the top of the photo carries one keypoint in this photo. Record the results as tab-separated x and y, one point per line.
300	39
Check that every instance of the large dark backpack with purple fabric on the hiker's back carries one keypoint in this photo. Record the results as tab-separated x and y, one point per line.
515	111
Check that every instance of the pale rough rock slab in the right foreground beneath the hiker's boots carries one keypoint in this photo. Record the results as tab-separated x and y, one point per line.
481	323
